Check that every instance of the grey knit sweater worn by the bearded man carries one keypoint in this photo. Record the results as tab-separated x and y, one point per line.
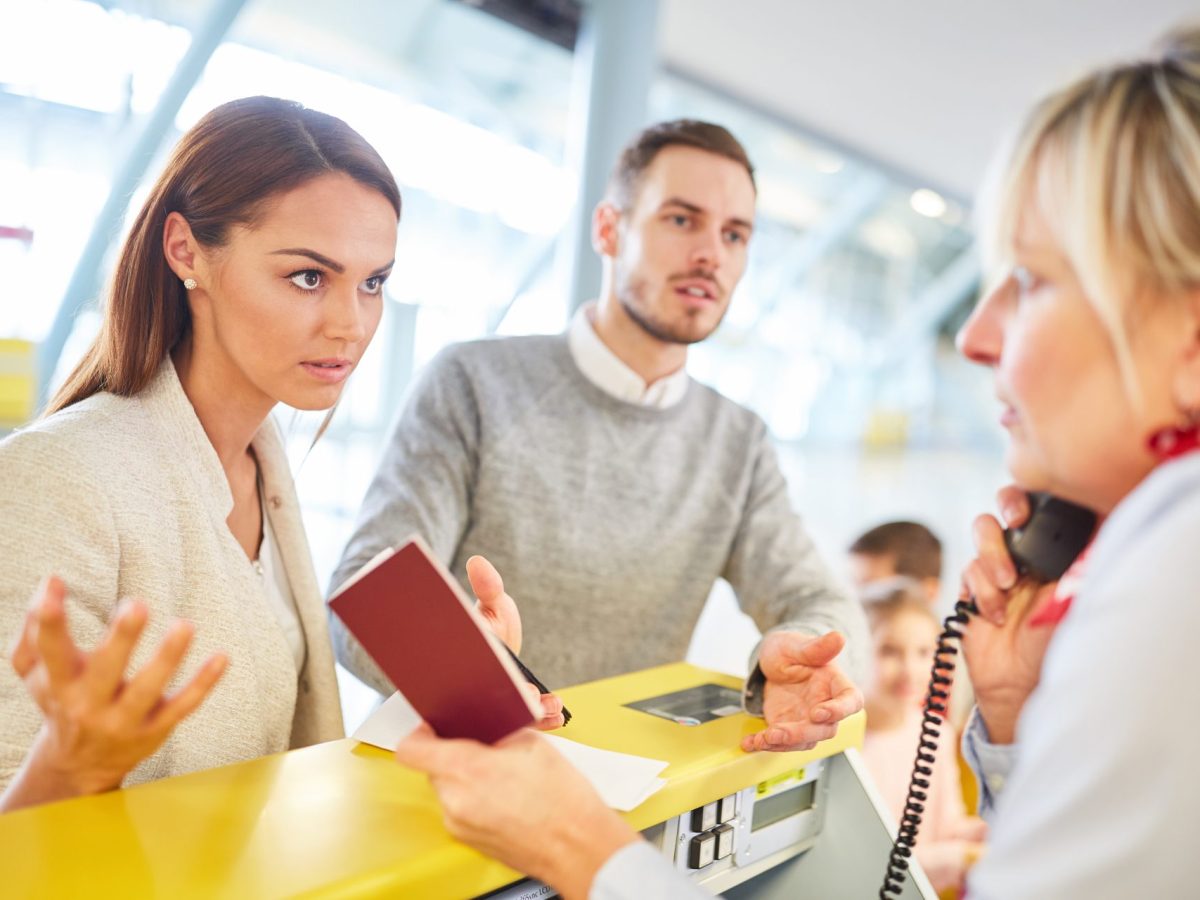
609	521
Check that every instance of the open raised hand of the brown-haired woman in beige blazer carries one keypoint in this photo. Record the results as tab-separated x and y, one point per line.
99	722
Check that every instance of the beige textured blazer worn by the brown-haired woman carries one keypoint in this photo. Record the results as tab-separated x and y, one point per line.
124	497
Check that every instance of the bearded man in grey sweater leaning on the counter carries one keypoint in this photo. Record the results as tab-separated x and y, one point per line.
609	488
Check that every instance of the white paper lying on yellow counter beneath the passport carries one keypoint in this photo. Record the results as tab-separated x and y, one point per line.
625	782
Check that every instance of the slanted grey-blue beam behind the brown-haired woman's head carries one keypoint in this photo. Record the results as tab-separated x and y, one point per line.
86	281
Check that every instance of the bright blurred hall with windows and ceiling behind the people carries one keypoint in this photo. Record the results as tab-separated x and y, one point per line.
871	125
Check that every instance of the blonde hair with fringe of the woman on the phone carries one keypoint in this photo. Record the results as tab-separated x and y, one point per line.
1113	165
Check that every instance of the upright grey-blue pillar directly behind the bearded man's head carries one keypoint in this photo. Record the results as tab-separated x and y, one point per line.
616	57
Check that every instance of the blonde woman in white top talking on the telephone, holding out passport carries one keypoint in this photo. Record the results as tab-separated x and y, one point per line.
1094	335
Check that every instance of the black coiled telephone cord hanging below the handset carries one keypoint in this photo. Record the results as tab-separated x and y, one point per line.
935	712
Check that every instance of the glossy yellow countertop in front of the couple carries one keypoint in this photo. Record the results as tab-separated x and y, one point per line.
345	820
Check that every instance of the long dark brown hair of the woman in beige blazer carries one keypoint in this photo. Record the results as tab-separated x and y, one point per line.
221	175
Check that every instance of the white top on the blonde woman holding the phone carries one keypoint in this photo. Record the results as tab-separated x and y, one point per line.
1103	794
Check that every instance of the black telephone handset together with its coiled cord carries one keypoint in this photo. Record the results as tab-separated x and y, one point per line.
1043	549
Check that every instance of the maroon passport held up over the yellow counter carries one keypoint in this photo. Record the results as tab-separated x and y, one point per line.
427	635
